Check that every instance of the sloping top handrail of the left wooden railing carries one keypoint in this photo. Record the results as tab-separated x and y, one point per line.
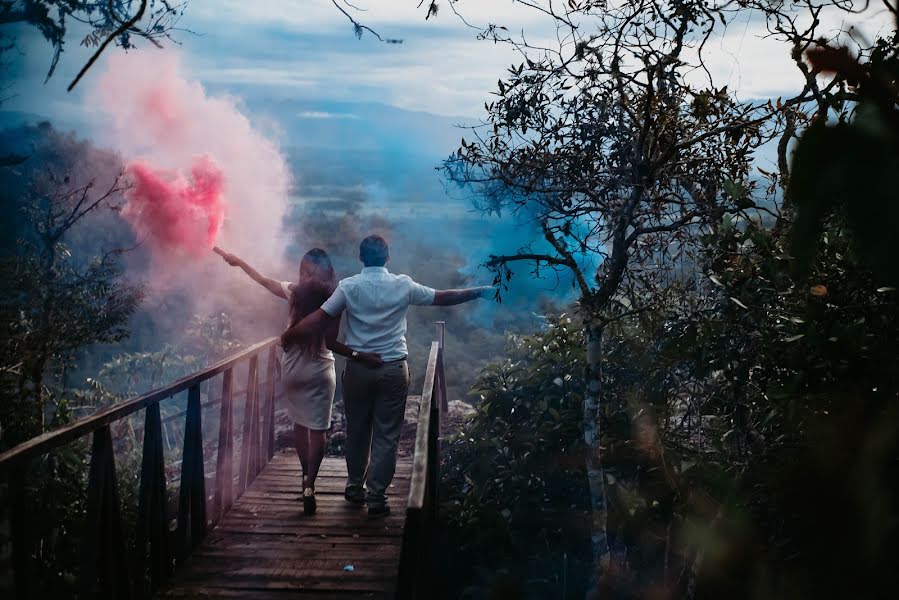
58	437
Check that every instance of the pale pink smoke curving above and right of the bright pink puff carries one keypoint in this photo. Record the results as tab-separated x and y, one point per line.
151	110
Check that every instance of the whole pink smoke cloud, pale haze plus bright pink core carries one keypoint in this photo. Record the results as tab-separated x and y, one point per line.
201	174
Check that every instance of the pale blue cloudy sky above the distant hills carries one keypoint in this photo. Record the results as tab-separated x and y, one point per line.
305	49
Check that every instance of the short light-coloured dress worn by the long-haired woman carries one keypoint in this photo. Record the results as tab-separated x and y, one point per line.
308	382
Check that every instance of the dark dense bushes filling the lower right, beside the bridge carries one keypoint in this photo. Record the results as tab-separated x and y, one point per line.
756	411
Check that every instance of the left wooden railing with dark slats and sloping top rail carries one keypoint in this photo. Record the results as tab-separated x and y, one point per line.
108	568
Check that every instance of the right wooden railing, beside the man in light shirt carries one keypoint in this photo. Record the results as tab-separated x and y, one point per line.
415	579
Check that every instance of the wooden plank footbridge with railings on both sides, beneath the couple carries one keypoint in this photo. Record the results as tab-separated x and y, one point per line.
239	529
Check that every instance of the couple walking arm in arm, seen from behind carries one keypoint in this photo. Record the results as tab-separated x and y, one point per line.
376	376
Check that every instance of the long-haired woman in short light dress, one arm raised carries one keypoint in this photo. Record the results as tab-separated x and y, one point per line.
307	365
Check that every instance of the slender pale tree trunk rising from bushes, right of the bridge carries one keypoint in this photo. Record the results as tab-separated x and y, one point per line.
592	435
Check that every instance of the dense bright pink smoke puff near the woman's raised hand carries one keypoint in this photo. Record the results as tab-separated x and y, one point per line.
174	213
